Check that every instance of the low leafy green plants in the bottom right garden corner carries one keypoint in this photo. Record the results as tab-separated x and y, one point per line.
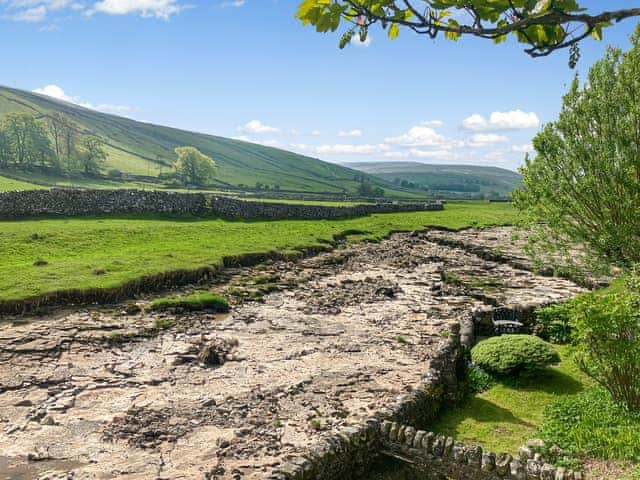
590	424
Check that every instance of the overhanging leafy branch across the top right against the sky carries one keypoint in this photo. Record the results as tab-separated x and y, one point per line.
544	25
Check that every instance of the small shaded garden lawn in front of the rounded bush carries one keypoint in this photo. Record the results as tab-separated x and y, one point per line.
507	415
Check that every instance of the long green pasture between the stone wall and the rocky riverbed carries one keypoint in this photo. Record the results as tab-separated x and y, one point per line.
133	247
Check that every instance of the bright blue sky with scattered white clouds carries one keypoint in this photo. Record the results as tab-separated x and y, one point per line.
248	69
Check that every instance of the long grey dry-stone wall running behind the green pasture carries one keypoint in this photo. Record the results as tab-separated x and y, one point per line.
77	202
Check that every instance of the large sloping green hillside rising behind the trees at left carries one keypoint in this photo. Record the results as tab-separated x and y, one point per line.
144	149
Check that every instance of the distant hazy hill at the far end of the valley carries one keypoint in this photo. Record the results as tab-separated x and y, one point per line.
452	181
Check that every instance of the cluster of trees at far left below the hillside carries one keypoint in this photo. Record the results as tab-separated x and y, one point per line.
54	143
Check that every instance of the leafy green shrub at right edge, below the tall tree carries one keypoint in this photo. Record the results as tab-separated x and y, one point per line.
608	332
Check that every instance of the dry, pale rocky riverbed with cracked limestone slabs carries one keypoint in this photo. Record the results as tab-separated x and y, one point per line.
326	342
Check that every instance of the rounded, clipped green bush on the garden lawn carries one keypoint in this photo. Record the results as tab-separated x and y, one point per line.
514	354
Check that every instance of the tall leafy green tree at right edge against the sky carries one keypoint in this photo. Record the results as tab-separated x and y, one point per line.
583	184
